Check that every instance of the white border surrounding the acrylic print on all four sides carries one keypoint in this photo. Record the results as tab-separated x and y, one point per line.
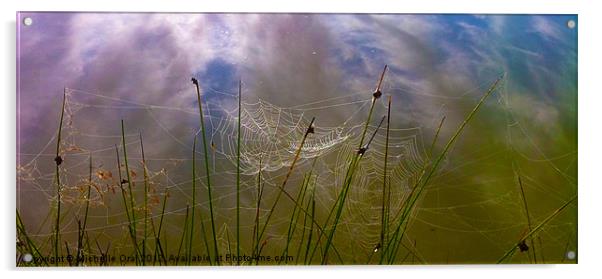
589	135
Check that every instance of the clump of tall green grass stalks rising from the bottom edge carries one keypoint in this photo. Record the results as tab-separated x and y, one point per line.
309	233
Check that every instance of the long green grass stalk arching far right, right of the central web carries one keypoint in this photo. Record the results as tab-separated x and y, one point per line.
421	184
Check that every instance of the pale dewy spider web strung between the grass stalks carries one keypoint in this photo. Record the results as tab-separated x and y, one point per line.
270	135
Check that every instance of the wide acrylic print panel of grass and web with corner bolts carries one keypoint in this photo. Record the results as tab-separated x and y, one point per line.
296	139
